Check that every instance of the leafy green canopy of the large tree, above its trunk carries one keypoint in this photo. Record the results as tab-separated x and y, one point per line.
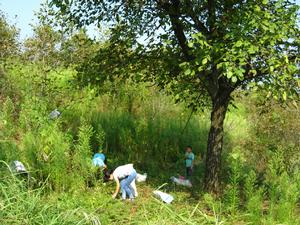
201	48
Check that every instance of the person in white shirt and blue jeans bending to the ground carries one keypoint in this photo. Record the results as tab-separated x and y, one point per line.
124	176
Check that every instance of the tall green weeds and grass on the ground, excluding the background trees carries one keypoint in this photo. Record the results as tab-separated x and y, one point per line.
134	123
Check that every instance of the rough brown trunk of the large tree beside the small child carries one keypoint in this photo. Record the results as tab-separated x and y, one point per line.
215	143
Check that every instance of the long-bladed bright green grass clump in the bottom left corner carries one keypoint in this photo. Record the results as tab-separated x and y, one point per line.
19	205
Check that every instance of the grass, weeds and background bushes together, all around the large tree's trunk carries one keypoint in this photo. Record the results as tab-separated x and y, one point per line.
134	120
